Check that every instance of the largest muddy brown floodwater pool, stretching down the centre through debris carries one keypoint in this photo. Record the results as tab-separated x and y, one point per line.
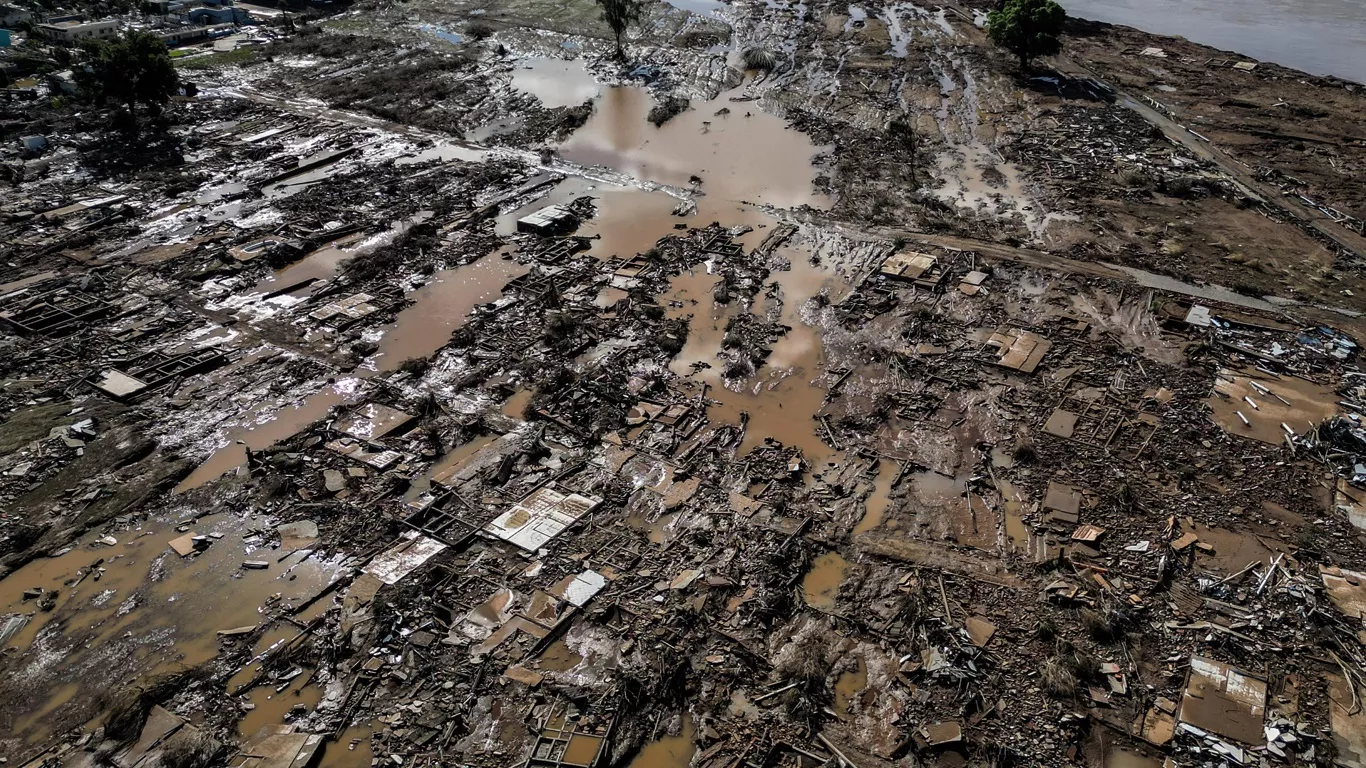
741	156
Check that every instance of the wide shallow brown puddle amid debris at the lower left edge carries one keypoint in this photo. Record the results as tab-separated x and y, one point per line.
136	607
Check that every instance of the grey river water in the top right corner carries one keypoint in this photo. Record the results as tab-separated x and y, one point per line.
1323	38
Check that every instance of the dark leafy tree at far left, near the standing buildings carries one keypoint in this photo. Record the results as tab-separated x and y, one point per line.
132	72
